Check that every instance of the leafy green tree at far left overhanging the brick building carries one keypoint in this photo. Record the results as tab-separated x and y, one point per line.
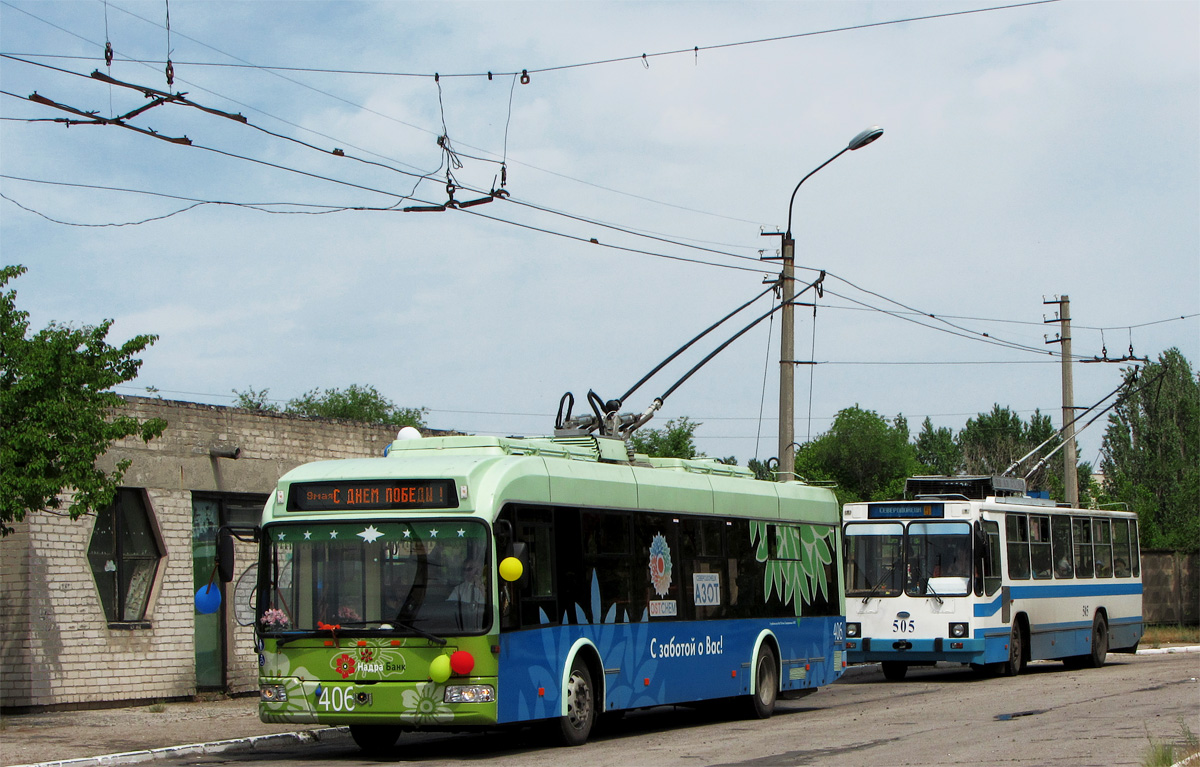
57	411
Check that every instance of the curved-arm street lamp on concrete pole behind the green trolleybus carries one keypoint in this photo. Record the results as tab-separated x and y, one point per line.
788	337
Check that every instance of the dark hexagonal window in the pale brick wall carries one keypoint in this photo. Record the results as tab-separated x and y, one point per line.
124	555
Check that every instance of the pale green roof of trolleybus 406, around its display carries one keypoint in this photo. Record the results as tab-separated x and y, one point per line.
585	472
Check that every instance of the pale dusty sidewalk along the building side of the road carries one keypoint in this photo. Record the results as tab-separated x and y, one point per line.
141	734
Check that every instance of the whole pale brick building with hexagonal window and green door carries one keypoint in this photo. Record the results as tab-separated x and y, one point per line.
103	609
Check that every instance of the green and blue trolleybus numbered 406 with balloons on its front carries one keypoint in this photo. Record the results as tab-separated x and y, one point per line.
464	583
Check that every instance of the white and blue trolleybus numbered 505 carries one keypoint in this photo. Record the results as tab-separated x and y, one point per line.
973	571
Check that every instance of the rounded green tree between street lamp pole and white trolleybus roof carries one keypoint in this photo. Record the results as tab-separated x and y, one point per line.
863	453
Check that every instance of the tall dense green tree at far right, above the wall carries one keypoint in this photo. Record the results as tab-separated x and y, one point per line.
1153	452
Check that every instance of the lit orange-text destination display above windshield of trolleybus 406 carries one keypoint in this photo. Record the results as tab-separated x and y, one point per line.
387	495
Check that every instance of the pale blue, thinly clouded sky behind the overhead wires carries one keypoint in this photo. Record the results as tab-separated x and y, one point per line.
1029	153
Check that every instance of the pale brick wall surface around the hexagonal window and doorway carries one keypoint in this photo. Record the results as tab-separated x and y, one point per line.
56	645
